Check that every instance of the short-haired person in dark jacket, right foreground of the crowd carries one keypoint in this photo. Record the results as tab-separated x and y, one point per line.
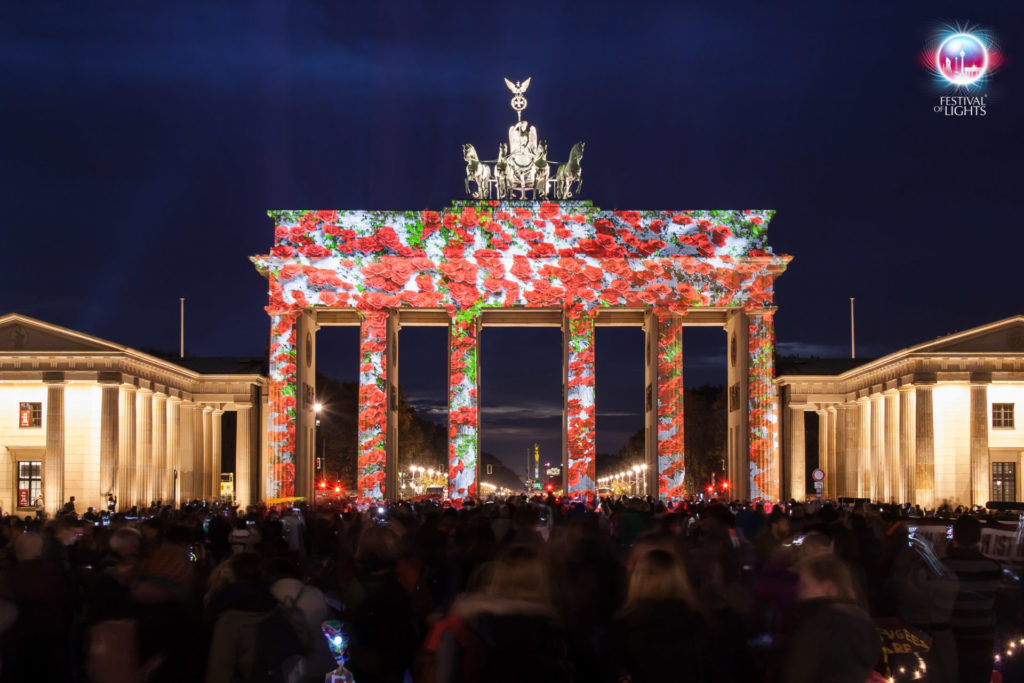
835	639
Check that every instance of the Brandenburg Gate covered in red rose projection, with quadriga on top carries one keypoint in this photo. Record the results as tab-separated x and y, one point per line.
522	252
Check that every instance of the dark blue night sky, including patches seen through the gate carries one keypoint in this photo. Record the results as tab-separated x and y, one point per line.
141	148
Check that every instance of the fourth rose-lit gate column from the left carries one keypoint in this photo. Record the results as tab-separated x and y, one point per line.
578	411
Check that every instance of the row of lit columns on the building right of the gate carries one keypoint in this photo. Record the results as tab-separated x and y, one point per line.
880	444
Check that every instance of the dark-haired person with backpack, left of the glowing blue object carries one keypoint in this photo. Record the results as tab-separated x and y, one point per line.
253	638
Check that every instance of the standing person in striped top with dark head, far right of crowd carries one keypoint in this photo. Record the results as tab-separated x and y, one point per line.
974	614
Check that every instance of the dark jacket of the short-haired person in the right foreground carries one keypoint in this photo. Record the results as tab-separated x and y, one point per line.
835	642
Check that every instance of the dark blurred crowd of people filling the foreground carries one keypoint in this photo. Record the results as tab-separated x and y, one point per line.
517	589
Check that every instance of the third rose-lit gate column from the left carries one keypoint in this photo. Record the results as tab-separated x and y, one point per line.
464	401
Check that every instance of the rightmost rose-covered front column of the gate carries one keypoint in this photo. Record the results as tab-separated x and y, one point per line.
763	406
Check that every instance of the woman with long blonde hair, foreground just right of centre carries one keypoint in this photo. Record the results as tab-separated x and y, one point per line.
661	634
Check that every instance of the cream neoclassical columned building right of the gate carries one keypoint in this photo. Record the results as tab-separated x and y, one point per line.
931	423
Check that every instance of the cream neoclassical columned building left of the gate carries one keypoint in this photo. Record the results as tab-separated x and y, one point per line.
83	417
